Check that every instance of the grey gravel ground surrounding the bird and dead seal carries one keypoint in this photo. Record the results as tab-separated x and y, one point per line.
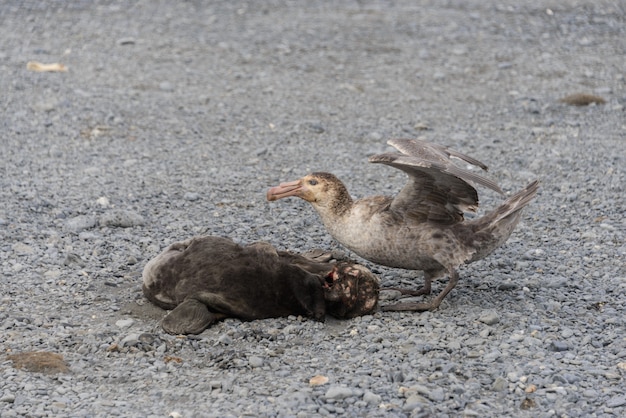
173	119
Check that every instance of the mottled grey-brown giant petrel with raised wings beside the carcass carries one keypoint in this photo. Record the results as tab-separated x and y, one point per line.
423	227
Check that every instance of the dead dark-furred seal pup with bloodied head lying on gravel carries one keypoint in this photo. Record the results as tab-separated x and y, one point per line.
205	279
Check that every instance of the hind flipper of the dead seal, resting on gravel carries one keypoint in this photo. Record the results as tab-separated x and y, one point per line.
190	317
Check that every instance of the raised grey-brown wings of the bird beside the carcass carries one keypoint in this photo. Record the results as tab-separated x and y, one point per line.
438	190
